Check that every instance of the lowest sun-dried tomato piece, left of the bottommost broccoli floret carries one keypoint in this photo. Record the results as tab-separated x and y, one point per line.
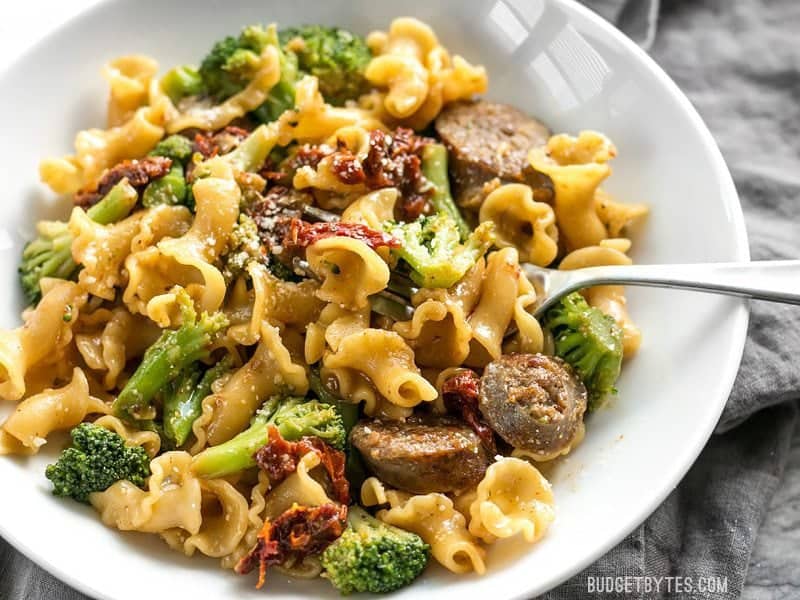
298	532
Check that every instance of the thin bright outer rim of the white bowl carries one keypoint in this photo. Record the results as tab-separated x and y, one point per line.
740	310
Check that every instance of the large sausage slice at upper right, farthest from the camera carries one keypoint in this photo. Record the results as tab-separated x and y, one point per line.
489	142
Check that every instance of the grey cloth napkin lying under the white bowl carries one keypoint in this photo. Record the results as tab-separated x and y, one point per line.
740	65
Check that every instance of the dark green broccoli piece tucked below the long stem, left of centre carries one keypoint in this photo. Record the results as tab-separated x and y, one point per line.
182	402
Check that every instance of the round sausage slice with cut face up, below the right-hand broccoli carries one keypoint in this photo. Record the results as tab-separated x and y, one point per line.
534	402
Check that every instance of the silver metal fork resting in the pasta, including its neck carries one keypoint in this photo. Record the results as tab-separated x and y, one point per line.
773	280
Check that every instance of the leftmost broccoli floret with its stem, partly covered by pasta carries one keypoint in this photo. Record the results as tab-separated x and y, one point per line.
50	255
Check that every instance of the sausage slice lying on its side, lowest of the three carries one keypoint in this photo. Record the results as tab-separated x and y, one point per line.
422	455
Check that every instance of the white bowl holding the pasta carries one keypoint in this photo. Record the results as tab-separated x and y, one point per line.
554	59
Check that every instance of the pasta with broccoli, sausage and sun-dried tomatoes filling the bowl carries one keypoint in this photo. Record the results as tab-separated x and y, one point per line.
285	322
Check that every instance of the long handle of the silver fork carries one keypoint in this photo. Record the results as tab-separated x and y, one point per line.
772	280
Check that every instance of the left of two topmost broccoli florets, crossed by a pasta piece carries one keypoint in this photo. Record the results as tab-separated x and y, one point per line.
233	62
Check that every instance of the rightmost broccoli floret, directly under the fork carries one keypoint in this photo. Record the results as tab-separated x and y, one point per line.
590	341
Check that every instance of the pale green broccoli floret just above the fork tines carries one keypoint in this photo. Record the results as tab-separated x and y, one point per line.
431	247
